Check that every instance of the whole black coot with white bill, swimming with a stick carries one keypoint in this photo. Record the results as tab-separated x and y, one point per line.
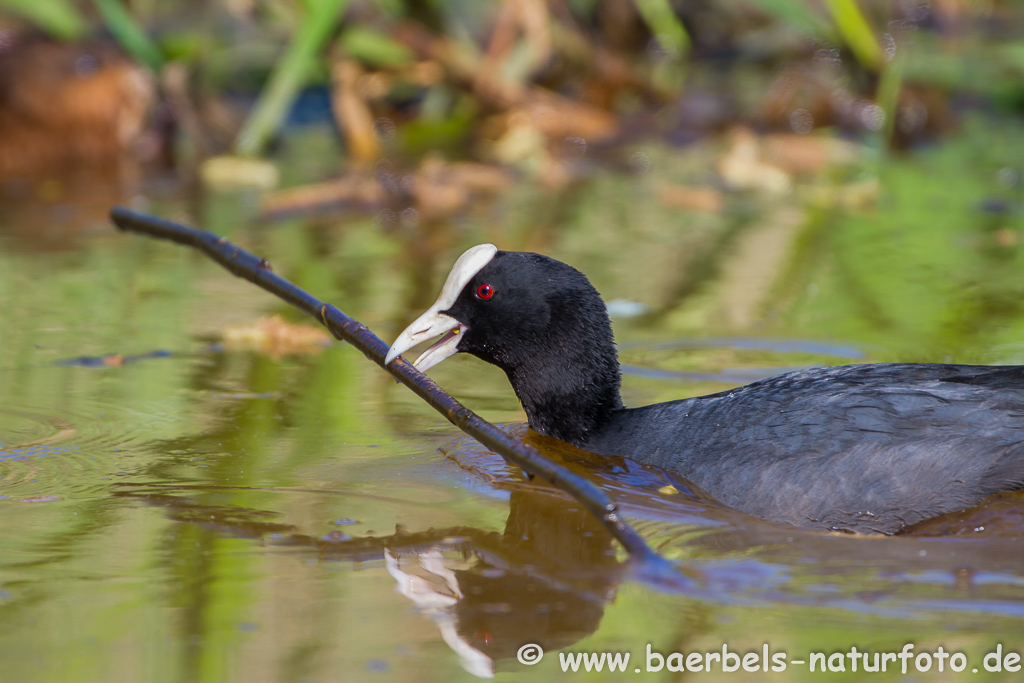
868	448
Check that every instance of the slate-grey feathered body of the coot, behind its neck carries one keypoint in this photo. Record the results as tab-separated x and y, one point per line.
870	448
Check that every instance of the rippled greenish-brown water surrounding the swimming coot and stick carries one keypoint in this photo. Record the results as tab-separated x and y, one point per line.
192	511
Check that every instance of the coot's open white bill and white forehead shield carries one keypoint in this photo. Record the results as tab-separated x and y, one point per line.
434	322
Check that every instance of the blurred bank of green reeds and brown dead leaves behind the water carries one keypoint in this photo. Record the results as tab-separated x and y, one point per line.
521	82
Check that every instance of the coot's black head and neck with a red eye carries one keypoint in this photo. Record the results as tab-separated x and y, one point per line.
545	325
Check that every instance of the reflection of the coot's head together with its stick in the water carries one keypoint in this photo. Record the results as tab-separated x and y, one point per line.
545	580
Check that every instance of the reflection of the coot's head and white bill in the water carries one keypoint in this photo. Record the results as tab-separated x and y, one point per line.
545	580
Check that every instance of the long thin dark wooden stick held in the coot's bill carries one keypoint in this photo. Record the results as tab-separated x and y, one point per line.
648	566
